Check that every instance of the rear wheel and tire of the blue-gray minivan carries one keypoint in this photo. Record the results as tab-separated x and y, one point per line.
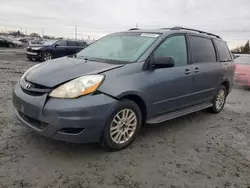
219	100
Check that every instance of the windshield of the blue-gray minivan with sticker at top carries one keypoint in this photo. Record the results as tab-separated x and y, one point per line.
125	47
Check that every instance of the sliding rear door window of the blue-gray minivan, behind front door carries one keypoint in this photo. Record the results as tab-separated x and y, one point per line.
202	50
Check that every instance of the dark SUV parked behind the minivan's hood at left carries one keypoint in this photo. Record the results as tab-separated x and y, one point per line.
54	49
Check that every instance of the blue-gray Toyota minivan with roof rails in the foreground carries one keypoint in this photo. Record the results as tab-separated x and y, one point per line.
107	91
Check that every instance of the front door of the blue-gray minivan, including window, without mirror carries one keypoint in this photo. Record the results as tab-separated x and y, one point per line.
170	87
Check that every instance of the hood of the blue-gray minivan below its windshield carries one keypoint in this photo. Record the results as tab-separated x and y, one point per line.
55	72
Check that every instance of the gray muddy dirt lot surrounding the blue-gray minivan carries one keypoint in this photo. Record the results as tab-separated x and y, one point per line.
198	150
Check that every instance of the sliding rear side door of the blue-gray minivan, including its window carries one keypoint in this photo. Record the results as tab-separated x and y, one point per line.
207	72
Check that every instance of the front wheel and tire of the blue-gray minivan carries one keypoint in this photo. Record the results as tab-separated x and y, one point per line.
108	140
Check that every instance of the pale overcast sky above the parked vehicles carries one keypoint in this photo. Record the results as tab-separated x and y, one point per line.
95	18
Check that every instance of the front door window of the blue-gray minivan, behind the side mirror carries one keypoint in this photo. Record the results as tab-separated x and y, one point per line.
174	47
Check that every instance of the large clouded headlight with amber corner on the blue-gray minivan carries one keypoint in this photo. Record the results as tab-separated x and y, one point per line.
78	87
